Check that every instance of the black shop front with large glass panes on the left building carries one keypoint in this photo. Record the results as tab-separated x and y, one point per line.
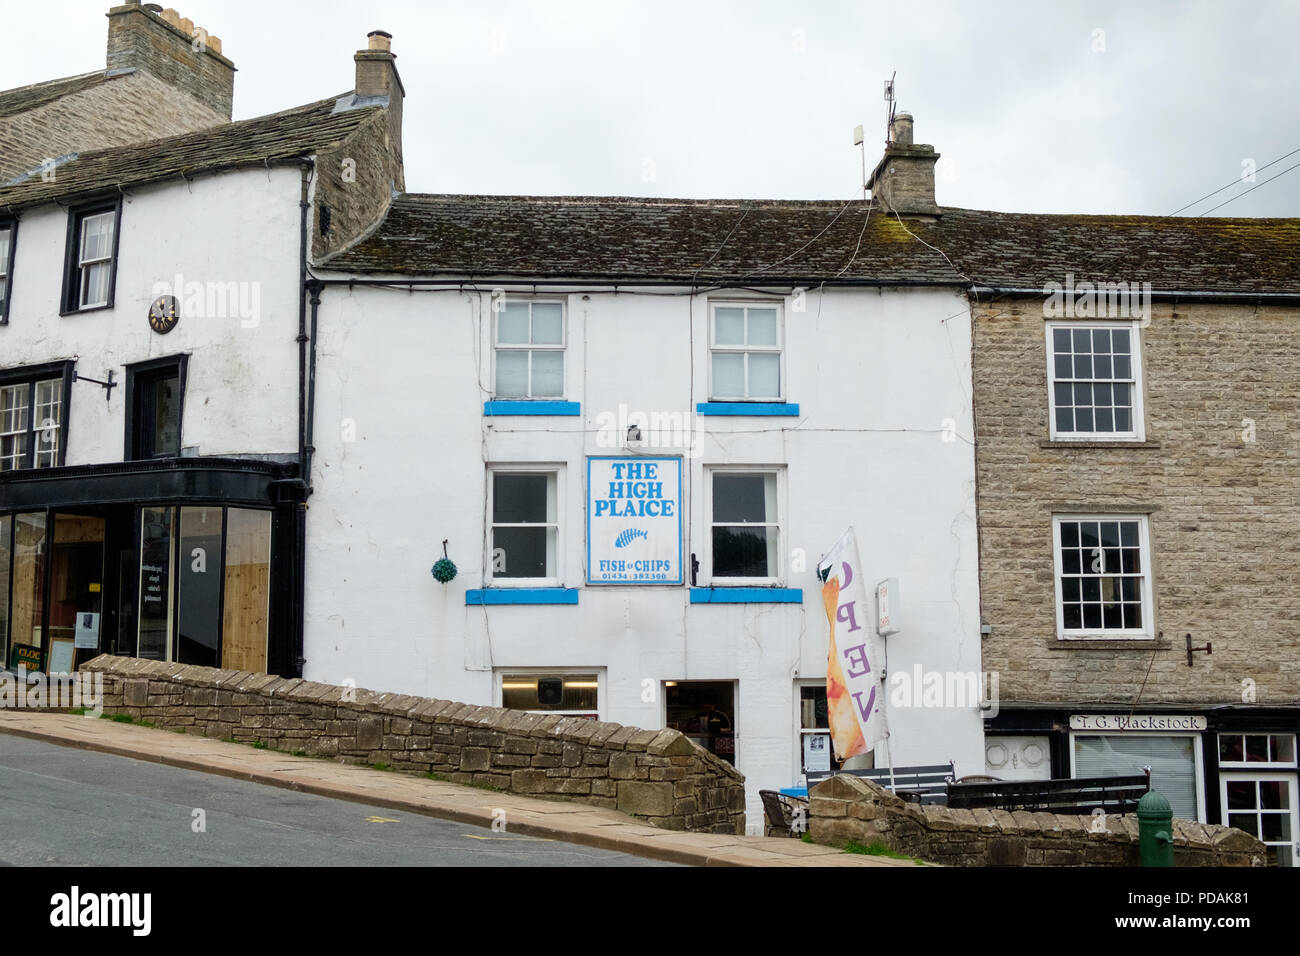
187	560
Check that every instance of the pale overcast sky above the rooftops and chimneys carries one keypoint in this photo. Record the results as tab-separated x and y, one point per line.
1137	107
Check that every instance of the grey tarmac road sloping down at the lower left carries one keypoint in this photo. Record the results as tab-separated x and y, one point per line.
67	807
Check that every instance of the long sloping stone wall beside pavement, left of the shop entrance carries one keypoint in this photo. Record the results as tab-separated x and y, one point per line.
656	776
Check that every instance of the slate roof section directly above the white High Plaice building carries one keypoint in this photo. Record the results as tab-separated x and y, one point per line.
613	239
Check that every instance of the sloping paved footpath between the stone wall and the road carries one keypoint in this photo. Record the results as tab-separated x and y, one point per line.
513	815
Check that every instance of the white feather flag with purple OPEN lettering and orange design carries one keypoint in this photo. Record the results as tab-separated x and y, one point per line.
853	693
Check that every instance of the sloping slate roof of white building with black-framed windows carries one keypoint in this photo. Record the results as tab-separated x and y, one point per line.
250	142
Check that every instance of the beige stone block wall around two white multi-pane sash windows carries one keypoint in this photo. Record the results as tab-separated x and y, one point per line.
1219	477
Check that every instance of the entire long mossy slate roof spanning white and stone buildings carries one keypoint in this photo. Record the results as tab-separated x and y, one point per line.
782	243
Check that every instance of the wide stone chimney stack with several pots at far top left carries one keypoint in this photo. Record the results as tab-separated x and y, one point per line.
172	49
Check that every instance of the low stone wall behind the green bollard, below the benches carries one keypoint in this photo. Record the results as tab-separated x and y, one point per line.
851	810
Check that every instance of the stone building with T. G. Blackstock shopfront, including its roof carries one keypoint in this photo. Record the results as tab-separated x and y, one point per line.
1138	449
